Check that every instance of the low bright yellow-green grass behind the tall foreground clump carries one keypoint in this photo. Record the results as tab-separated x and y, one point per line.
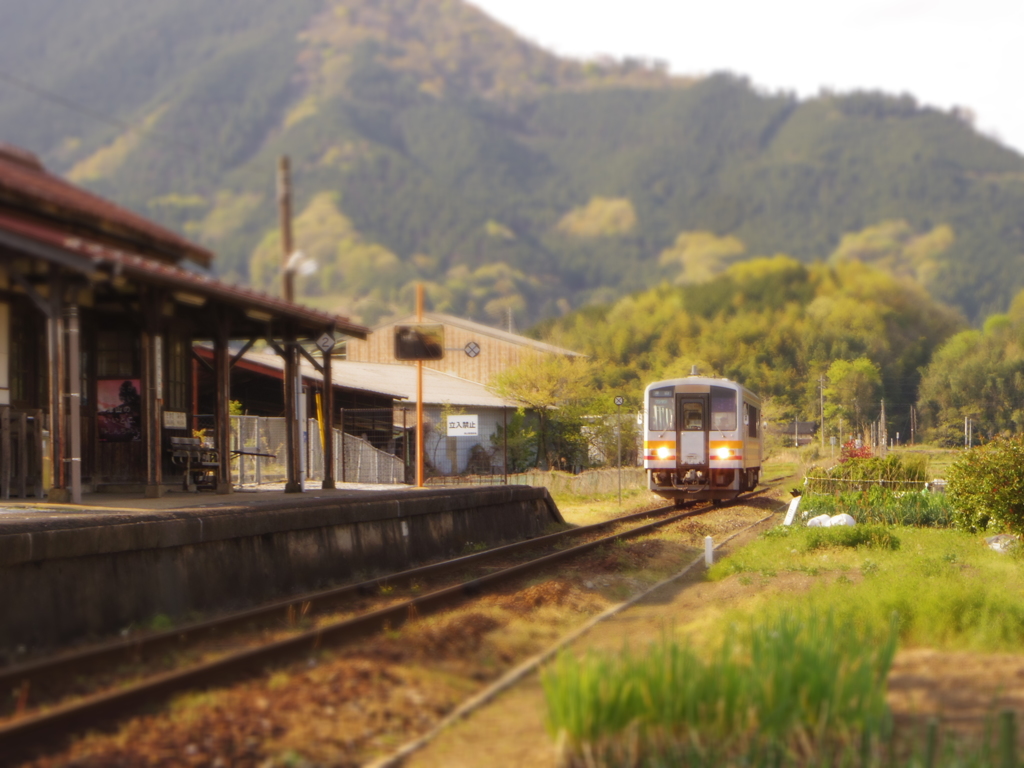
949	589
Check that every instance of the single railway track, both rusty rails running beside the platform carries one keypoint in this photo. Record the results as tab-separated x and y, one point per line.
23	735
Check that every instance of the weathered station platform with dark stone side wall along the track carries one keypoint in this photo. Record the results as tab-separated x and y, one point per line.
78	572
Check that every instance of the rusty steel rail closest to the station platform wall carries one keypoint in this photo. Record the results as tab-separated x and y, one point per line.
137	649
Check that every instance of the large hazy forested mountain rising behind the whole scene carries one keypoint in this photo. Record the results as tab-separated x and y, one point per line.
429	143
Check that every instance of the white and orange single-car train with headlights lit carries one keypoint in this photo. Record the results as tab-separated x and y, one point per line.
703	439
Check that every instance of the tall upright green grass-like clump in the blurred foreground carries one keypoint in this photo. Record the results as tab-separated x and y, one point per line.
797	686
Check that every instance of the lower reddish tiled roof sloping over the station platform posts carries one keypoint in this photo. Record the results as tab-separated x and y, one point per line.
157	273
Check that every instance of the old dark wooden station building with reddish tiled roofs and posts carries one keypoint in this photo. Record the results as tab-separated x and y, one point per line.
100	310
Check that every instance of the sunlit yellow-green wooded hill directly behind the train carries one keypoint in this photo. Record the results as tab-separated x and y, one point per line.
779	326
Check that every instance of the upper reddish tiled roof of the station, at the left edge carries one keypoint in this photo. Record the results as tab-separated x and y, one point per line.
29	188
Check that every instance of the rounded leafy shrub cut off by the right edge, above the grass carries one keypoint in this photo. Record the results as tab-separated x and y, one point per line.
987	487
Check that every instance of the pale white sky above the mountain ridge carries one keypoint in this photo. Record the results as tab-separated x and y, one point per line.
967	54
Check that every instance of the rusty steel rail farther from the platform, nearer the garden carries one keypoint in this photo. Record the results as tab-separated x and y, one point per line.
24	734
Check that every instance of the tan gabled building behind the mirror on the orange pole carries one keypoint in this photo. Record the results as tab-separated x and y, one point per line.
474	352
